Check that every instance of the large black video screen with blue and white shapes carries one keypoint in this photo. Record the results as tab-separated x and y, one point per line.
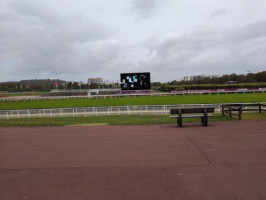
135	81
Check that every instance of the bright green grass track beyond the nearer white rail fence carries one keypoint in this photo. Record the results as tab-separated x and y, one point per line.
124	101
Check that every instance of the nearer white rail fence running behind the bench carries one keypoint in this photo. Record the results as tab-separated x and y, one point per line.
99	111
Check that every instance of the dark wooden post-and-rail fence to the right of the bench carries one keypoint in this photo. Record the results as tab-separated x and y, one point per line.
237	109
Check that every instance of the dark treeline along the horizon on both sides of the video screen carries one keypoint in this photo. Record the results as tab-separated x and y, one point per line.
44	85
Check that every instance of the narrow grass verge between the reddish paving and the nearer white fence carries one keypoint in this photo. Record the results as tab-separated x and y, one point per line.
113	120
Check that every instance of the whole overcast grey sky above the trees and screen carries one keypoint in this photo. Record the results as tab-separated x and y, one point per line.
77	39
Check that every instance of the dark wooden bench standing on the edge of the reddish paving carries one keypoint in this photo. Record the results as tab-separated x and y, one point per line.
202	113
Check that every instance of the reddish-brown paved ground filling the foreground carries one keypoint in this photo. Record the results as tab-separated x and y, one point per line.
226	160
